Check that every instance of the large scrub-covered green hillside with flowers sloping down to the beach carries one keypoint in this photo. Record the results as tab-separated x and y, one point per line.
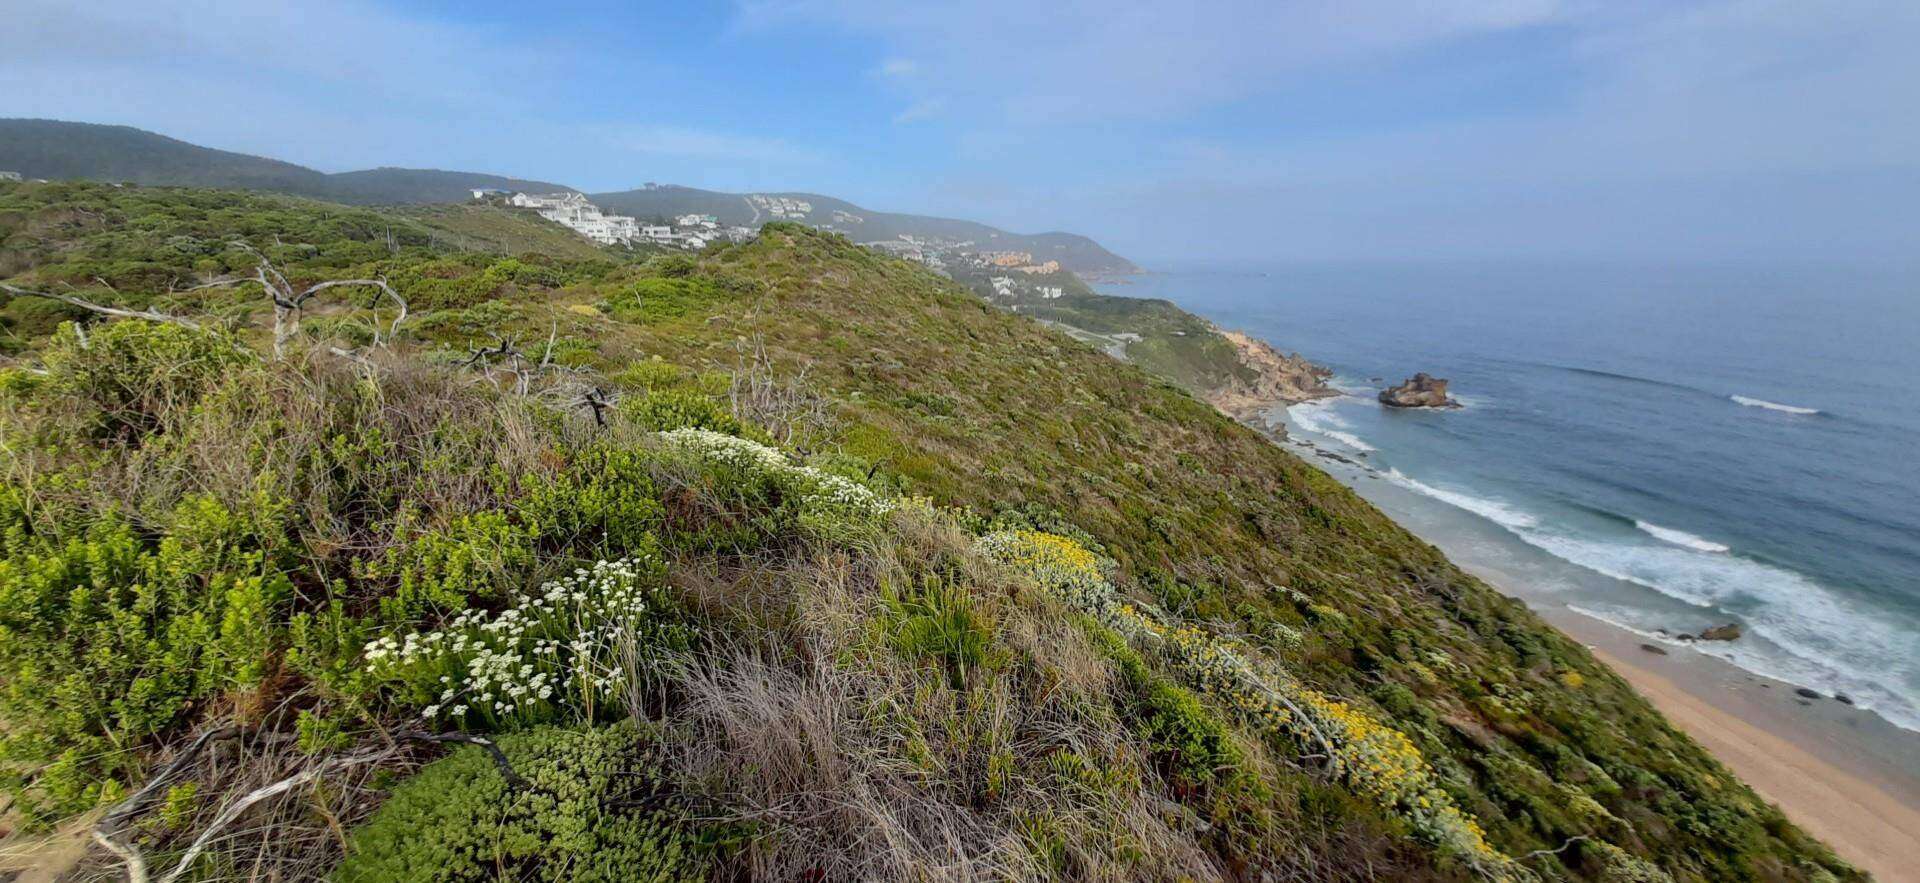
782	561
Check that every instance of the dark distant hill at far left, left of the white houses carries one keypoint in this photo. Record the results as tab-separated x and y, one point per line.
49	149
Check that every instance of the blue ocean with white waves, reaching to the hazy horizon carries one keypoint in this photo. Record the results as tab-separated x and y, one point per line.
1662	448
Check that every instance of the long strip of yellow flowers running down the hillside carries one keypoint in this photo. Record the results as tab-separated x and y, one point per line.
1378	761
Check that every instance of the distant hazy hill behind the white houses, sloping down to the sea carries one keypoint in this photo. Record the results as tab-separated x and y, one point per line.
863	226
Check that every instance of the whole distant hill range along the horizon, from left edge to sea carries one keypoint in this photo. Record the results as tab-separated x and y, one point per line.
49	149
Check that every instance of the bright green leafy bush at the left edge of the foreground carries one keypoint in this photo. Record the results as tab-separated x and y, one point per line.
112	638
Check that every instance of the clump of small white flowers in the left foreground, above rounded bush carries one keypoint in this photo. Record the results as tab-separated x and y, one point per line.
564	646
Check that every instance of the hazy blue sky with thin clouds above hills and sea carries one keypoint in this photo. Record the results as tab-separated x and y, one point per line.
1216	130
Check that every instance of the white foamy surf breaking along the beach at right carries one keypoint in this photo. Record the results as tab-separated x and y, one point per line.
1821	640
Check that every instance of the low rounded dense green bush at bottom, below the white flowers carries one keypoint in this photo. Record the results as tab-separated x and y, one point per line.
460	821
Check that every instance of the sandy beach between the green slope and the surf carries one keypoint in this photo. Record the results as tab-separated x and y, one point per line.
1840	773
